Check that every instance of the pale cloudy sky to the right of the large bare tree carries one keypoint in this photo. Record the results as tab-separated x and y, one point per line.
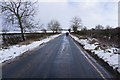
104	12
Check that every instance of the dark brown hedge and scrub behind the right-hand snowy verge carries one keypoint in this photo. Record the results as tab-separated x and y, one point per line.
107	36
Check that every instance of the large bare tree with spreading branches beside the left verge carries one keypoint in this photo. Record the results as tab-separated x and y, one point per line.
19	13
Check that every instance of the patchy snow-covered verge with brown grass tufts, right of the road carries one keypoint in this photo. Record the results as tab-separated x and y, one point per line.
109	54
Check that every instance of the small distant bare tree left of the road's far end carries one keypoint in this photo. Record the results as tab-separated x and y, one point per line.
54	25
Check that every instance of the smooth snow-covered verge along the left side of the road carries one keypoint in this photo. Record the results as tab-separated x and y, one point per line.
17	50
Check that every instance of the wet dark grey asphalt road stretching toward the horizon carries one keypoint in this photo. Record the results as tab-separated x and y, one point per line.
60	58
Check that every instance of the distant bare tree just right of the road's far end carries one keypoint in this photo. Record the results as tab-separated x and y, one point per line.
76	23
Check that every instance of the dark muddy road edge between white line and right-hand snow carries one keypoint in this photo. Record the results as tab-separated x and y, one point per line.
103	64
